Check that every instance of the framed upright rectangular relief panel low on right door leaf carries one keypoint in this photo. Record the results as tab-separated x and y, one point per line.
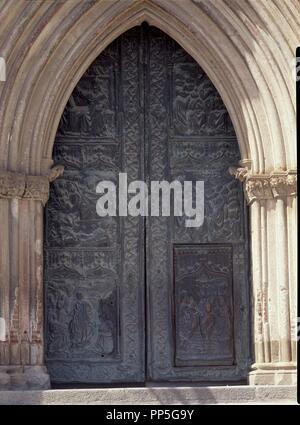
203	305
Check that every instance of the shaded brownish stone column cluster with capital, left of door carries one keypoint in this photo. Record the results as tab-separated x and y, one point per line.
22	199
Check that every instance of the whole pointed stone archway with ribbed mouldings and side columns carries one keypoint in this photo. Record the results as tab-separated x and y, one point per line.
246	48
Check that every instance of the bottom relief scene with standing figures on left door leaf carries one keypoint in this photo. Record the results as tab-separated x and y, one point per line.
78	323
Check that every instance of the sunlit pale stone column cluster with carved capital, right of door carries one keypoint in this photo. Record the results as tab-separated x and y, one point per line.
272	201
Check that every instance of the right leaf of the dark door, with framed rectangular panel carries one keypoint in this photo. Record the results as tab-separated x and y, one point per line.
195	279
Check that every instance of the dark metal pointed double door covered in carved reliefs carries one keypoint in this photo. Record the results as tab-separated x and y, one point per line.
129	299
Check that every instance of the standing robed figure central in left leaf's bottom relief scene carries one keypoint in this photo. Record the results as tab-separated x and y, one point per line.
80	326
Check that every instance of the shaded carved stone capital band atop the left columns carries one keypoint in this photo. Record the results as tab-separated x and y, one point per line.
22	186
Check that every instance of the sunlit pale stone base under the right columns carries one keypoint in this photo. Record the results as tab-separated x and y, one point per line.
273	374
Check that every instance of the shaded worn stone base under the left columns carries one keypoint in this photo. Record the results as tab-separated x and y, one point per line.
24	378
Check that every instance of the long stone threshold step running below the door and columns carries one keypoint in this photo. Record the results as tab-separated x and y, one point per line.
245	394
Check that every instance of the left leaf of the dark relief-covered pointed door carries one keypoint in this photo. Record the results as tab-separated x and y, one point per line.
93	266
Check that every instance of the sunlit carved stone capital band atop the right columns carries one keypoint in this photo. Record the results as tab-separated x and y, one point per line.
258	187
